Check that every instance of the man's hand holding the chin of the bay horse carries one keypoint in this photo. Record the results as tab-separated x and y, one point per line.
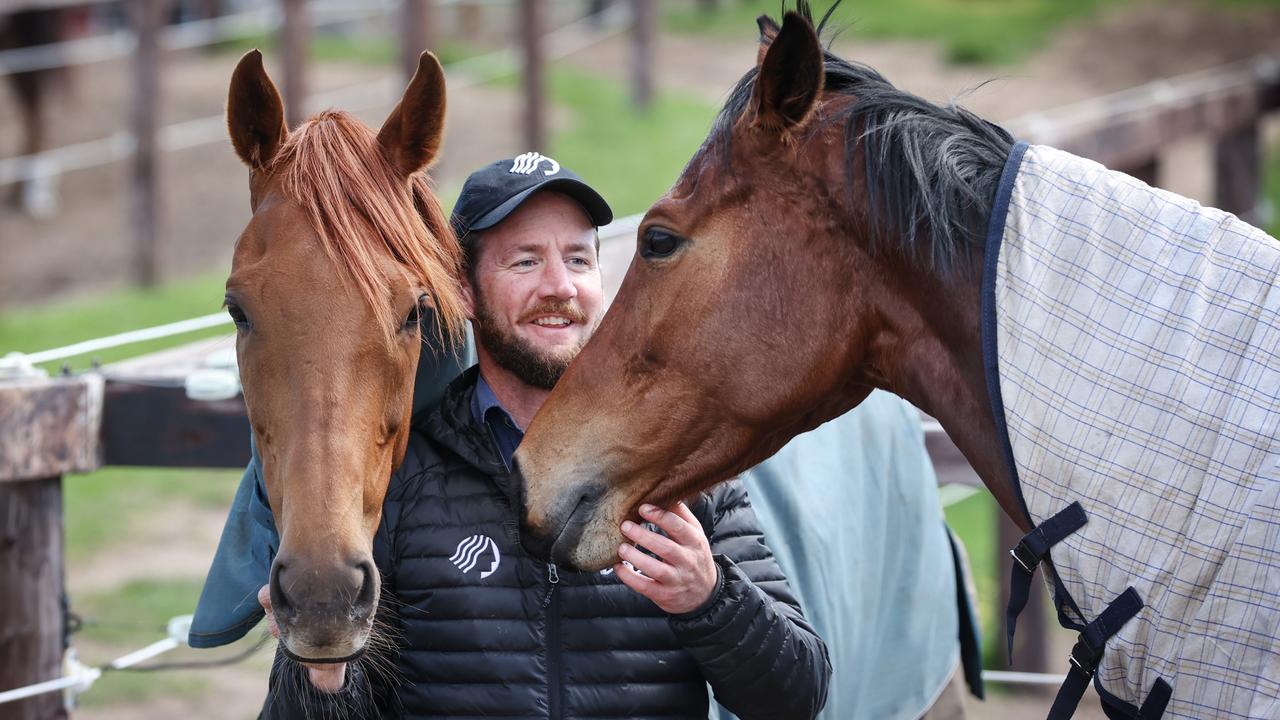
684	576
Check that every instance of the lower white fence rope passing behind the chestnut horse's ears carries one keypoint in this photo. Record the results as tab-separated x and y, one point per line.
355	98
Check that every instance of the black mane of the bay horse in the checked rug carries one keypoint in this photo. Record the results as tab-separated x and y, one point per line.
932	171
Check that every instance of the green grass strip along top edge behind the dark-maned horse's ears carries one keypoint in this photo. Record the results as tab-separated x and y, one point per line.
970	31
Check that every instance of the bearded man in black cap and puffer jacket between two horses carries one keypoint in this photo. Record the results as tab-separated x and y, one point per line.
479	628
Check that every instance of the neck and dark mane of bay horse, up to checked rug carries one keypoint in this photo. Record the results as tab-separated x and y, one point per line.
929	349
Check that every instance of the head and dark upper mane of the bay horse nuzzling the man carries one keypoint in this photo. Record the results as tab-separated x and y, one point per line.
821	240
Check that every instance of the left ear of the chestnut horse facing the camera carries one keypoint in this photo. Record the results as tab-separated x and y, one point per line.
255	113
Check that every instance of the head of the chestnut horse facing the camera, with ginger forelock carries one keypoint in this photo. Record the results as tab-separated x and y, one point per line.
345	256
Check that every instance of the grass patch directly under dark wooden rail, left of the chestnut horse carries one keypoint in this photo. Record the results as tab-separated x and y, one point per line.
106	507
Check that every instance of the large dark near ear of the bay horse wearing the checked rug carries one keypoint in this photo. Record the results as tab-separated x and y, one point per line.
790	76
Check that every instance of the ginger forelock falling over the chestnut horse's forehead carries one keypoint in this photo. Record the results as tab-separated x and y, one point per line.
362	208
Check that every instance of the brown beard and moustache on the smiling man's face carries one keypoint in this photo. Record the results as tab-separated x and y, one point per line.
532	364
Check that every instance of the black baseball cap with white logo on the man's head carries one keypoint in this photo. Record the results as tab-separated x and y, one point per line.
496	190
